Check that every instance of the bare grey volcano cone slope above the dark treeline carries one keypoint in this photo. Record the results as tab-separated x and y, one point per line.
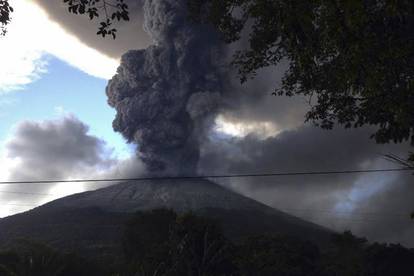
93	221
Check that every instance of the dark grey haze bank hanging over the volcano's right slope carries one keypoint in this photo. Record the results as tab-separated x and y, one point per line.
373	205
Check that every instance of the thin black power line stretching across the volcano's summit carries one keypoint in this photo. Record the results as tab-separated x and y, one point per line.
206	176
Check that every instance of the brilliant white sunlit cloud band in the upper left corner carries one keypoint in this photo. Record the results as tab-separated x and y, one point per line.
31	37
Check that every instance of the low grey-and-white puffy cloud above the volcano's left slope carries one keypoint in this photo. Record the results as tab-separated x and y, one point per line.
55	149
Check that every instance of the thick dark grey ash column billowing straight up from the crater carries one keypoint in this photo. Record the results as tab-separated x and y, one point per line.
166	95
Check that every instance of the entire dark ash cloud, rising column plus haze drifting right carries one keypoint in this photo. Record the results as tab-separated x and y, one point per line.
168	96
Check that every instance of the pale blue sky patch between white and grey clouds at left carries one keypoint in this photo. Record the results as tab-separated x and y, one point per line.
62	90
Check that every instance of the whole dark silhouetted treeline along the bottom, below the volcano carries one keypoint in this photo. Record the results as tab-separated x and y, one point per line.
160	242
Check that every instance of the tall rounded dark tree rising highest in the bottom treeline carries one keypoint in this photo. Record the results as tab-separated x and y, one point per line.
160	242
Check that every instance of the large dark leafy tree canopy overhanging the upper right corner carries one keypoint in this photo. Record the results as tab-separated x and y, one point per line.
353	59
